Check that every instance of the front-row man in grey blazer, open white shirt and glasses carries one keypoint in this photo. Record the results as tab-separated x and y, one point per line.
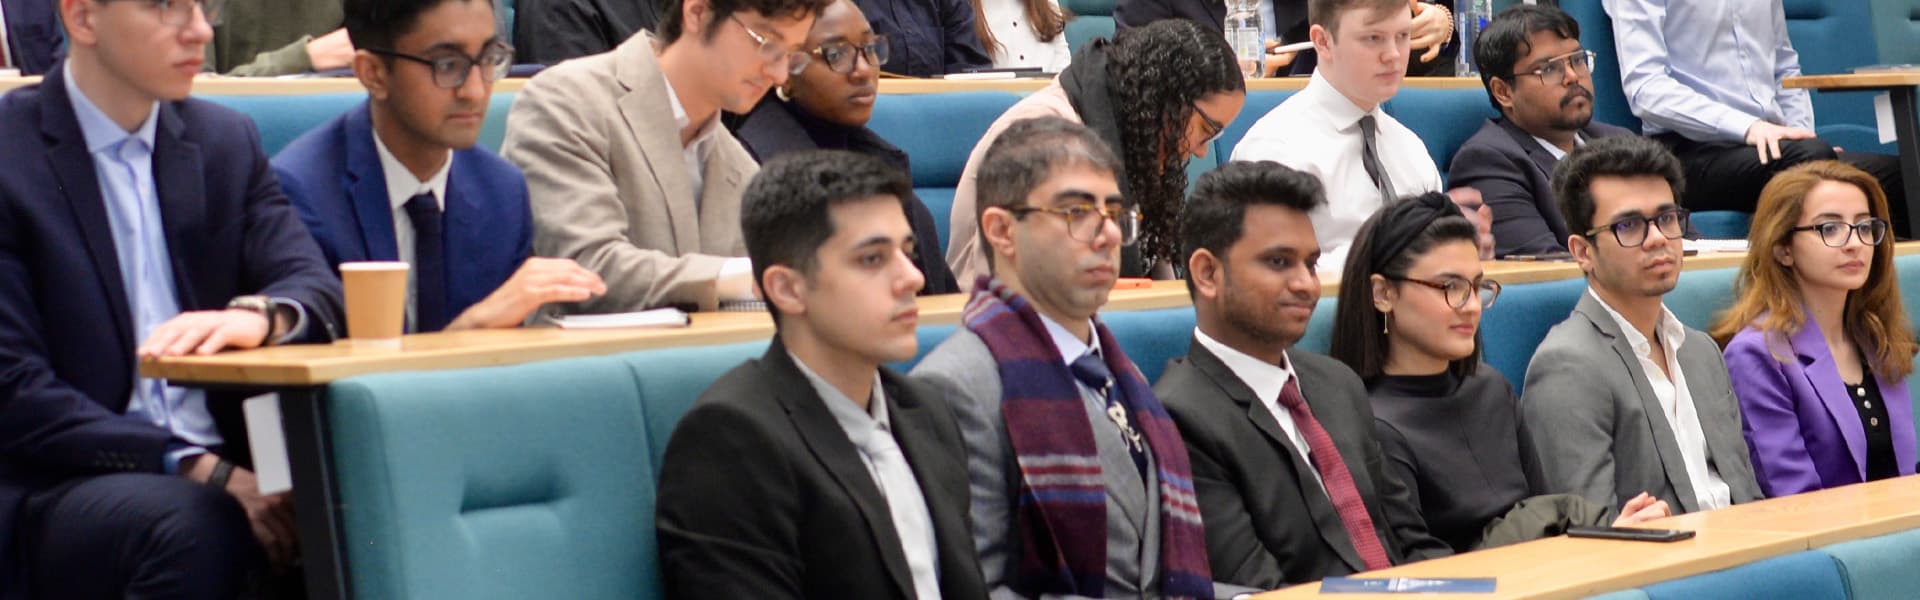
1621	397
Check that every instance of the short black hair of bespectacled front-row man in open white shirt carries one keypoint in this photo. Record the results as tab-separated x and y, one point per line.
1610	157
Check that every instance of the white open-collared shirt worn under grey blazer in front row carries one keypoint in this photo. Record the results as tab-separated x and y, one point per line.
1677	405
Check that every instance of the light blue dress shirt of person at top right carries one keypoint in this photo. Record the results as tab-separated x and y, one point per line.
1708	68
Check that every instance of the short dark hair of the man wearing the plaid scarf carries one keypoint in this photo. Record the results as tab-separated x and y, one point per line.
1026	155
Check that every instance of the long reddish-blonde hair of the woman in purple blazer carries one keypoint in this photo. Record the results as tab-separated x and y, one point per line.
1765	287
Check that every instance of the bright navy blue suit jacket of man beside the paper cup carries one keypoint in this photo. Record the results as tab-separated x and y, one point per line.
337	182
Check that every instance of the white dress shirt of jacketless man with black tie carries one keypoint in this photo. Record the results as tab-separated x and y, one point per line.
1318	132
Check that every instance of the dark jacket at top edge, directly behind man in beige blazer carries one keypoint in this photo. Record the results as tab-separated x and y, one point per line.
550	32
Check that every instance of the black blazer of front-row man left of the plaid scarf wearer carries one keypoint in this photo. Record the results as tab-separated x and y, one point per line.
763	497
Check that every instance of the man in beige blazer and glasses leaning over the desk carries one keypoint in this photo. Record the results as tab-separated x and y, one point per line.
627	164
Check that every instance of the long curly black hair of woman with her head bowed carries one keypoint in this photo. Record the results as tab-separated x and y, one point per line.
1157	76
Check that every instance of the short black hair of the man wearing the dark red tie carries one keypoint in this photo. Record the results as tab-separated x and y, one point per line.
1216	212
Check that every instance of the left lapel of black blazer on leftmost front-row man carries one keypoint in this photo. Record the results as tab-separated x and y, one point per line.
836	453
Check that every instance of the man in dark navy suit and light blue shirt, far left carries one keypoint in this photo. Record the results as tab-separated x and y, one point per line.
137	224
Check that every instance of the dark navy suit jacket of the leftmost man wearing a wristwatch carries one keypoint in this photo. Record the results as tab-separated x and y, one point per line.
66	332
